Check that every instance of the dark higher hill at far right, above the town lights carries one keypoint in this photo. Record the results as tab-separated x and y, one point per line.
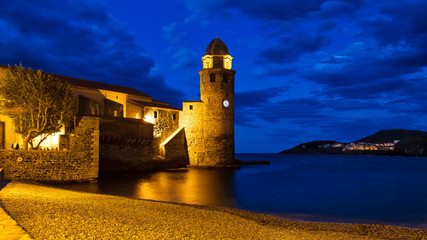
386	136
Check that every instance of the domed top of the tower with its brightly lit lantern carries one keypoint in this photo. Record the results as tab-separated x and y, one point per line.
217	55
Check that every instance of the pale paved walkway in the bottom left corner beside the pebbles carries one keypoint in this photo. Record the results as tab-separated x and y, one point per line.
9	229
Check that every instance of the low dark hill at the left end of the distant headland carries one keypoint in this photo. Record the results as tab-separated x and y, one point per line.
314	148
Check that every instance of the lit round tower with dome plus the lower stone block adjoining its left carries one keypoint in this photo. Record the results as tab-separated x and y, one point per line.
209	123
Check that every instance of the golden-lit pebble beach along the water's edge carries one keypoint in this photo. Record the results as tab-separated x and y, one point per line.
50	213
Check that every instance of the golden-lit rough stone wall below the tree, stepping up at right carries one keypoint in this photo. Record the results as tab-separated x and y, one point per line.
80	163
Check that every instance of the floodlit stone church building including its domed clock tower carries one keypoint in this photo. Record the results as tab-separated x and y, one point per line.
202	132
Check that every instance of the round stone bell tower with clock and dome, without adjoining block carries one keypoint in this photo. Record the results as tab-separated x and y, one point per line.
217	95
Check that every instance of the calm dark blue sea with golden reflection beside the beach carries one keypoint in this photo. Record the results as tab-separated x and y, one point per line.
335	188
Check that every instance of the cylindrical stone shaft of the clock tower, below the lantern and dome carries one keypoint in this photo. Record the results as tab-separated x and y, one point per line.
217	85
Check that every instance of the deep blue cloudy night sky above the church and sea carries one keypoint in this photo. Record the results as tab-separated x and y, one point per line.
306	70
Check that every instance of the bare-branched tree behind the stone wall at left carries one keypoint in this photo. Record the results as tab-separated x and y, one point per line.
38	102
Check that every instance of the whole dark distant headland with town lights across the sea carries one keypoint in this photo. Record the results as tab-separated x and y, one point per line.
385	142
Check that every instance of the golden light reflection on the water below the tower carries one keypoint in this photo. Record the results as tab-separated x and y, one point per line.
194	186
